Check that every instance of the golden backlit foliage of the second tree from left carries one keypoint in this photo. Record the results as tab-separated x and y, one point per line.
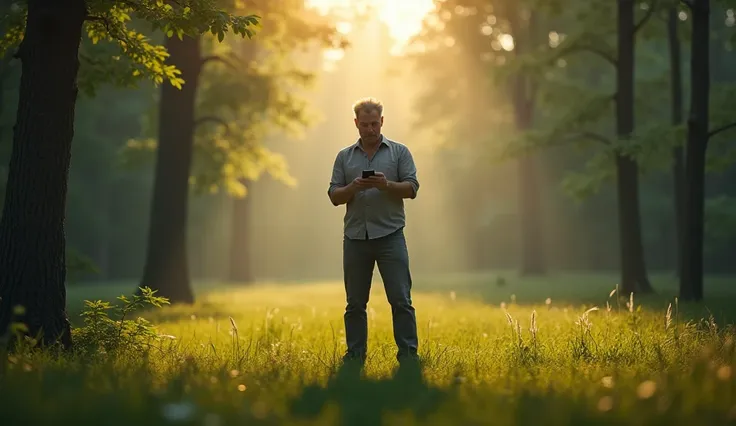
250	92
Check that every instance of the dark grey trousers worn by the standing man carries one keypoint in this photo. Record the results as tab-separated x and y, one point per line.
359	259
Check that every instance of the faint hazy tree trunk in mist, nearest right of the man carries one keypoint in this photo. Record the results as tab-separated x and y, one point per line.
524	96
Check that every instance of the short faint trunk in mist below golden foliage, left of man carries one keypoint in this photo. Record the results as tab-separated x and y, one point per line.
240	265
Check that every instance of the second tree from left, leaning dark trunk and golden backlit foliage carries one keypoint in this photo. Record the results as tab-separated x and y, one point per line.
211	132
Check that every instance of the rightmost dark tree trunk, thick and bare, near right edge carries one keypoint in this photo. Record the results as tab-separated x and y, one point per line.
691	280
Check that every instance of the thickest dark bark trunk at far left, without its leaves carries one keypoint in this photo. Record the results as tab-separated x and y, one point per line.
32	241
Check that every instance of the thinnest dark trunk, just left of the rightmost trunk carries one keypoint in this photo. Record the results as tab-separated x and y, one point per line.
678	164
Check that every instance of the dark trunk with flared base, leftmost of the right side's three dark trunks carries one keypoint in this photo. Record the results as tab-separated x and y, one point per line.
633	267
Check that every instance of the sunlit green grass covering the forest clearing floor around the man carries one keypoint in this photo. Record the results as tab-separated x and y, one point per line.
269	354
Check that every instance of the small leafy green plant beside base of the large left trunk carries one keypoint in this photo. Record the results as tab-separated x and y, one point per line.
102	333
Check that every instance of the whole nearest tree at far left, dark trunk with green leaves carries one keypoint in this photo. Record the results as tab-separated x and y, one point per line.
48	34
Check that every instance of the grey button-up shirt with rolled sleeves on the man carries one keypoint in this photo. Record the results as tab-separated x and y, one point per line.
373	213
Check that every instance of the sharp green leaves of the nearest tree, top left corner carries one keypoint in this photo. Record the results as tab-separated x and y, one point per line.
115	51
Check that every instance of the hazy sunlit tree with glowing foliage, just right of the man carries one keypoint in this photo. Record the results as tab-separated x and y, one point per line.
481	36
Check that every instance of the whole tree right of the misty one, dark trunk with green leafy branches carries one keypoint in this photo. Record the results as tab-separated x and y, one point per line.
583	121
